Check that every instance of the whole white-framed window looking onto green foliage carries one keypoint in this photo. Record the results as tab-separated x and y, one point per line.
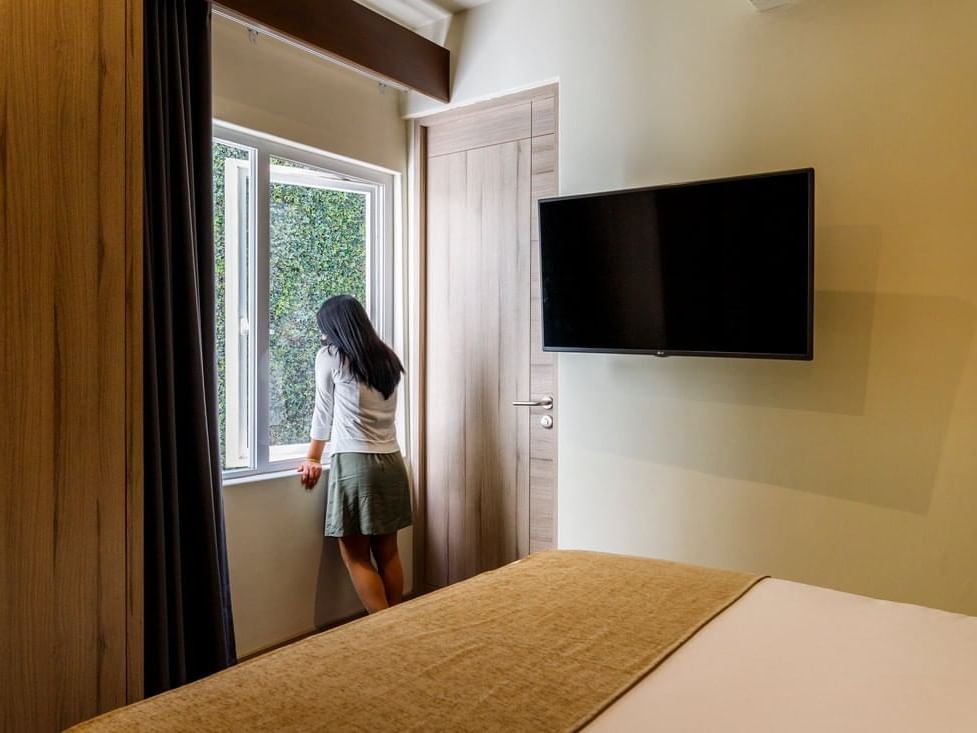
292	227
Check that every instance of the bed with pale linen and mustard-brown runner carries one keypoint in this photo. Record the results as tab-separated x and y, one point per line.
569	640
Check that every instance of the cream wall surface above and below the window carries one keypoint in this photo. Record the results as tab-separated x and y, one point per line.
286	578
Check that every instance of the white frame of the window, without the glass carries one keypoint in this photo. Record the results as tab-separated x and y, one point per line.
334	172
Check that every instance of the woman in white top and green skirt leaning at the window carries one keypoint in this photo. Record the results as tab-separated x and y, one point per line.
368	496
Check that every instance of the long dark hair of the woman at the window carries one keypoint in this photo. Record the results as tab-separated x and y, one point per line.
347	329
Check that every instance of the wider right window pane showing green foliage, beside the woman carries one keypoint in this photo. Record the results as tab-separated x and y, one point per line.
319	231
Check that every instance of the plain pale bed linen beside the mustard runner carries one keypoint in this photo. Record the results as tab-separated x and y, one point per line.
796	658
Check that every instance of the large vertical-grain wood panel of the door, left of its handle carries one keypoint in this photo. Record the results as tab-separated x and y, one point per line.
477	359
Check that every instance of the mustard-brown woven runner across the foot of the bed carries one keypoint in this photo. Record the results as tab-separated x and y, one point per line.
543	644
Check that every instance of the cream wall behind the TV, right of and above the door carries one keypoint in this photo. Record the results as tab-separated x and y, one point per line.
857	471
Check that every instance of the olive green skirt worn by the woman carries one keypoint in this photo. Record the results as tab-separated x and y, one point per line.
367	493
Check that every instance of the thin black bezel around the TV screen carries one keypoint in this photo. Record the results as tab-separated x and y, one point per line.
808	355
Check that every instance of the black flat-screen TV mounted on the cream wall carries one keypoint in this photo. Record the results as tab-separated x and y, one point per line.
711	268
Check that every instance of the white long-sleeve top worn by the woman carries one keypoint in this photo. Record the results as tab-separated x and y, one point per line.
351	417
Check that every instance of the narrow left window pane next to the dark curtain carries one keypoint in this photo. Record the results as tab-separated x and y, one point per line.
233	202
